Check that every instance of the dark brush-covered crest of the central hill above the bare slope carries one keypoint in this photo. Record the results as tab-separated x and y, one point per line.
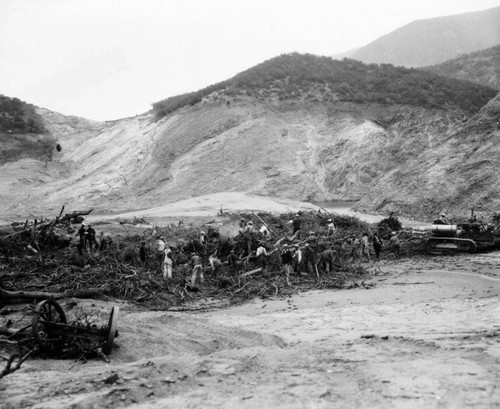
309	78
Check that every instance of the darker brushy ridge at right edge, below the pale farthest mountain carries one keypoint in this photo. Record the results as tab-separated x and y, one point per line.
481	67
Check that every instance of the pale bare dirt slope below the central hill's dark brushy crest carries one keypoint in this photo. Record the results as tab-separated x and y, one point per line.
305	151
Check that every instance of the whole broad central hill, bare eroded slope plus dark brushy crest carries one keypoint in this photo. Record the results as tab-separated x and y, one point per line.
306	141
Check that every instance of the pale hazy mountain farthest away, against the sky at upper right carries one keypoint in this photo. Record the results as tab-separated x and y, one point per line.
432	41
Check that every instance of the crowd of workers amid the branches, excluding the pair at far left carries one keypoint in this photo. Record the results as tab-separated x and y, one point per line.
312	255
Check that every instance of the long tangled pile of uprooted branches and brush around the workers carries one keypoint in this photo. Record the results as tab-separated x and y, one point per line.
44	258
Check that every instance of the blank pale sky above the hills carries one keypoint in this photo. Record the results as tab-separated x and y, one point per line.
109	59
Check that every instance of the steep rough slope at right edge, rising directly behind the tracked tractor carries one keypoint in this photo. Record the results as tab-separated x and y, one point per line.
458	173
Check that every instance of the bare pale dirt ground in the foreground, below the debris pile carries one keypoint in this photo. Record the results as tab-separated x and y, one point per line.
425	335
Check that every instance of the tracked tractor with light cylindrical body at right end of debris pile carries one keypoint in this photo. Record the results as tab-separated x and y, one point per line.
469	236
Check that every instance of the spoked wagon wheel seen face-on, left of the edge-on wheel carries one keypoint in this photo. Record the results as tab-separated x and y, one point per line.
47	312
